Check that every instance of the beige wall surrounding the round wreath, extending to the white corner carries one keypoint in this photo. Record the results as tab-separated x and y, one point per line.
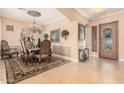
72	39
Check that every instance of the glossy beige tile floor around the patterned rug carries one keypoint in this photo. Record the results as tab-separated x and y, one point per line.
93	71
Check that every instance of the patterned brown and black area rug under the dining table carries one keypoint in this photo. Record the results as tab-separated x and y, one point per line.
16	70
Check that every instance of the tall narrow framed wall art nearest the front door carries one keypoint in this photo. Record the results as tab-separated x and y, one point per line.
81	32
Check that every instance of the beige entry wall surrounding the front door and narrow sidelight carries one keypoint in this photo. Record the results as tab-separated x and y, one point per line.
115	17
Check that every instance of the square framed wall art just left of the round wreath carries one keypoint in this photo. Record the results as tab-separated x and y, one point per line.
55	36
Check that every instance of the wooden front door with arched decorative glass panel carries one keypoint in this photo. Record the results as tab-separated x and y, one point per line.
108	40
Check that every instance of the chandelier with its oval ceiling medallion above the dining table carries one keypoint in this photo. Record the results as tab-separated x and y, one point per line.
34	28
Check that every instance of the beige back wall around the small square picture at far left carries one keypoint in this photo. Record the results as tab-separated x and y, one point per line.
13	36
